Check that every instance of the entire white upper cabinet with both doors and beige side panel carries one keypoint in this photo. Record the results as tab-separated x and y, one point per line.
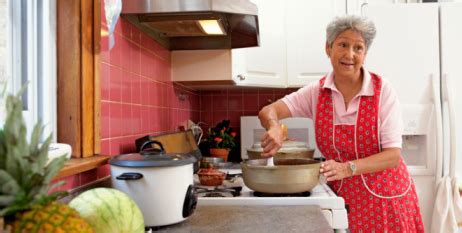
291	51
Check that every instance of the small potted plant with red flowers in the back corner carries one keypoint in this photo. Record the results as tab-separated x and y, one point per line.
221	136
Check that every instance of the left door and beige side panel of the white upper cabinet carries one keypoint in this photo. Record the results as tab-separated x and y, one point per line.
263	66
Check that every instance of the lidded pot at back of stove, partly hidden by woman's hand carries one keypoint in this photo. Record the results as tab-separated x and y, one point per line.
289	149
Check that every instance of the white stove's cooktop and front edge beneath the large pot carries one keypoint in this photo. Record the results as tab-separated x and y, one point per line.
234	192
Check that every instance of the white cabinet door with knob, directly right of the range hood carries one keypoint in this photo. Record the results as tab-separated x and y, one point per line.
264	66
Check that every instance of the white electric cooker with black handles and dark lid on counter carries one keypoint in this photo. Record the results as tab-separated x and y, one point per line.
161	184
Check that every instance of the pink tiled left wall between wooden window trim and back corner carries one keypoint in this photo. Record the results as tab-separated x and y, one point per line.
142	98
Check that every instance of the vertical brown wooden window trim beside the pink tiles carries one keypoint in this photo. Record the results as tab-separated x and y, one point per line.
78	61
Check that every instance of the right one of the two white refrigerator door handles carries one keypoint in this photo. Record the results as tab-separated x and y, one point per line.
448	98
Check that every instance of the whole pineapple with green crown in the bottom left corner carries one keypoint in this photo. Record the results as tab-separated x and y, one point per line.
25	177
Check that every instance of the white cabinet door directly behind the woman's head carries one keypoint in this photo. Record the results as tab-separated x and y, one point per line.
306	37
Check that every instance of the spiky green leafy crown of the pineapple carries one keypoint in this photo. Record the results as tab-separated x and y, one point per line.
24	173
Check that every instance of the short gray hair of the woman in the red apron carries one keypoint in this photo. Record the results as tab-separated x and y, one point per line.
361	25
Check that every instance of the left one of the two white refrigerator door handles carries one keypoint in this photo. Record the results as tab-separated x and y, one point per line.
435	81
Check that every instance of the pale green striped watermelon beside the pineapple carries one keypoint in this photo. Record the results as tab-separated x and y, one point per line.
109	211
